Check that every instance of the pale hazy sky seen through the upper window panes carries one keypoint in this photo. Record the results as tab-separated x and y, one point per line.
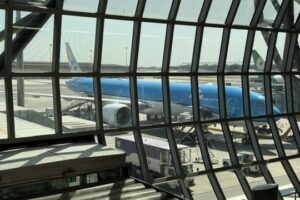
79	32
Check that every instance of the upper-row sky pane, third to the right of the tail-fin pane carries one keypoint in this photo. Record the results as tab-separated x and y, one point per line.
182	48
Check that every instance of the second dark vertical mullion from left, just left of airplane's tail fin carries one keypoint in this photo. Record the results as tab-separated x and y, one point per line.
55	69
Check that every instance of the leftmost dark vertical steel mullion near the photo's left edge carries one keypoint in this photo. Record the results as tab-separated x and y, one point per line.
8	74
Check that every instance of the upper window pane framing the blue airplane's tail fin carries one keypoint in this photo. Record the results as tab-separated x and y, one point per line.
79	34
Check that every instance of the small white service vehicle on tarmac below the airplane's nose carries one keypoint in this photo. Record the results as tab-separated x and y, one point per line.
243	158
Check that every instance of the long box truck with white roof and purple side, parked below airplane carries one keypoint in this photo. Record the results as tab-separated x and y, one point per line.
159	157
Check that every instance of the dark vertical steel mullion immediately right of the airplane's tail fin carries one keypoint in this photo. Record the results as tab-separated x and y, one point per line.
97	70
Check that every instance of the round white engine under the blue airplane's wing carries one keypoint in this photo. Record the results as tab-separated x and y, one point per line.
117	115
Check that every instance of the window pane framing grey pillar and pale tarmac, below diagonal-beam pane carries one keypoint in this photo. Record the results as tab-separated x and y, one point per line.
31	109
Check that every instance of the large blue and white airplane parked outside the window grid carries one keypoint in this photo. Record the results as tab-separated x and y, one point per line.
116	97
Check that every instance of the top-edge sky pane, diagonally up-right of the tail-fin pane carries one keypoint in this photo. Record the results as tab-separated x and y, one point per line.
121	7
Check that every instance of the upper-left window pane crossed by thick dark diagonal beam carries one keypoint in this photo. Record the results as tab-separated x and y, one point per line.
37	55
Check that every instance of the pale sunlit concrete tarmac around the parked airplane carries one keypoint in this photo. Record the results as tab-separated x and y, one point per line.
202	189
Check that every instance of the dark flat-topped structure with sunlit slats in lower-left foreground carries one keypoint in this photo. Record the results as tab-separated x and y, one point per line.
71	171
